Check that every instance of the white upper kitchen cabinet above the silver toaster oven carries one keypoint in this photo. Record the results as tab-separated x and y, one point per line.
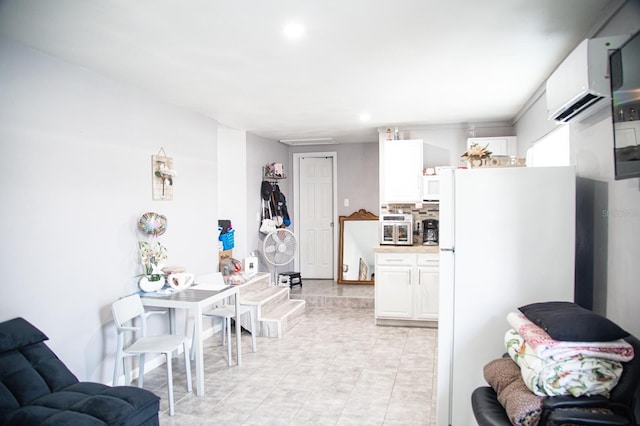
401	171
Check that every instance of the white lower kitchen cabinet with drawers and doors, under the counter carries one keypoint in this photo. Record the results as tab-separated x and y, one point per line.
406	288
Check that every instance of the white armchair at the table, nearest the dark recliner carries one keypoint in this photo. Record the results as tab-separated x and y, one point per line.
124	311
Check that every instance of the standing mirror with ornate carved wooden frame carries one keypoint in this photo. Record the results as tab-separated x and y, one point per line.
358	237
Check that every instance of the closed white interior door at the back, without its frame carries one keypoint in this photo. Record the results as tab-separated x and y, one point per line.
315	223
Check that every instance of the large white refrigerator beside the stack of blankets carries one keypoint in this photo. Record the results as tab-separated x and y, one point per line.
507	238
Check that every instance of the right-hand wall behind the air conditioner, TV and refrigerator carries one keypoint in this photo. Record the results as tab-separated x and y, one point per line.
610	208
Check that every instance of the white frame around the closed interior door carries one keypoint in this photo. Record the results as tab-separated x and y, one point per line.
296	205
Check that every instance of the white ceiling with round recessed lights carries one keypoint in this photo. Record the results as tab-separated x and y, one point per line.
402	62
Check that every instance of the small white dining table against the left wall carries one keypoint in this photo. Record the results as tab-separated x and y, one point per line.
197	300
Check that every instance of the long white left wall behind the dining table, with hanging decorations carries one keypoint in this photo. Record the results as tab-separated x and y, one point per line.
75	175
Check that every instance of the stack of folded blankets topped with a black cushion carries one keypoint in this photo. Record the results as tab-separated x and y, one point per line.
558	348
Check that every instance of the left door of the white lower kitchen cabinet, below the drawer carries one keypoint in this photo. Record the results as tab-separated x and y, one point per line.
393	292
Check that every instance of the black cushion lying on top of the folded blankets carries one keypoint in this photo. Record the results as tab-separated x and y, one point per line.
566	321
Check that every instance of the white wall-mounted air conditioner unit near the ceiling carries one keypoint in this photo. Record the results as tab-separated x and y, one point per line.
580	84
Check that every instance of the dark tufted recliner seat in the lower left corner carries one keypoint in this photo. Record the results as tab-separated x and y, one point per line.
36	388
